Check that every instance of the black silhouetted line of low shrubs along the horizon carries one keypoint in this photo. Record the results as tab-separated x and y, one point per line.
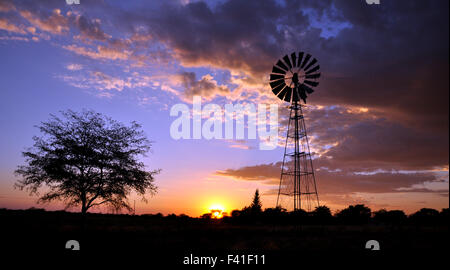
353	215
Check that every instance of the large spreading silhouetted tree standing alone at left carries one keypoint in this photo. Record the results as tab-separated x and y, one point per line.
86	160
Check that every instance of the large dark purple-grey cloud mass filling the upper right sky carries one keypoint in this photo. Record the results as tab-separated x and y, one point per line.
392	58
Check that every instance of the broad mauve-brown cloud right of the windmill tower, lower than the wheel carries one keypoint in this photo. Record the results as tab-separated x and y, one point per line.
366	140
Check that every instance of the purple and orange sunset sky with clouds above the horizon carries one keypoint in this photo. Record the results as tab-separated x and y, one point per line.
378	122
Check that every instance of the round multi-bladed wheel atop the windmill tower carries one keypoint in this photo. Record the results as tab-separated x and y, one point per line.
294	77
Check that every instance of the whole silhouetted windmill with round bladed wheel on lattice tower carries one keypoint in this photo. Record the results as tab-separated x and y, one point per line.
292	80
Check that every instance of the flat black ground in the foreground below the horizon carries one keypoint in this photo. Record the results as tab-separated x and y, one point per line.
168	240
